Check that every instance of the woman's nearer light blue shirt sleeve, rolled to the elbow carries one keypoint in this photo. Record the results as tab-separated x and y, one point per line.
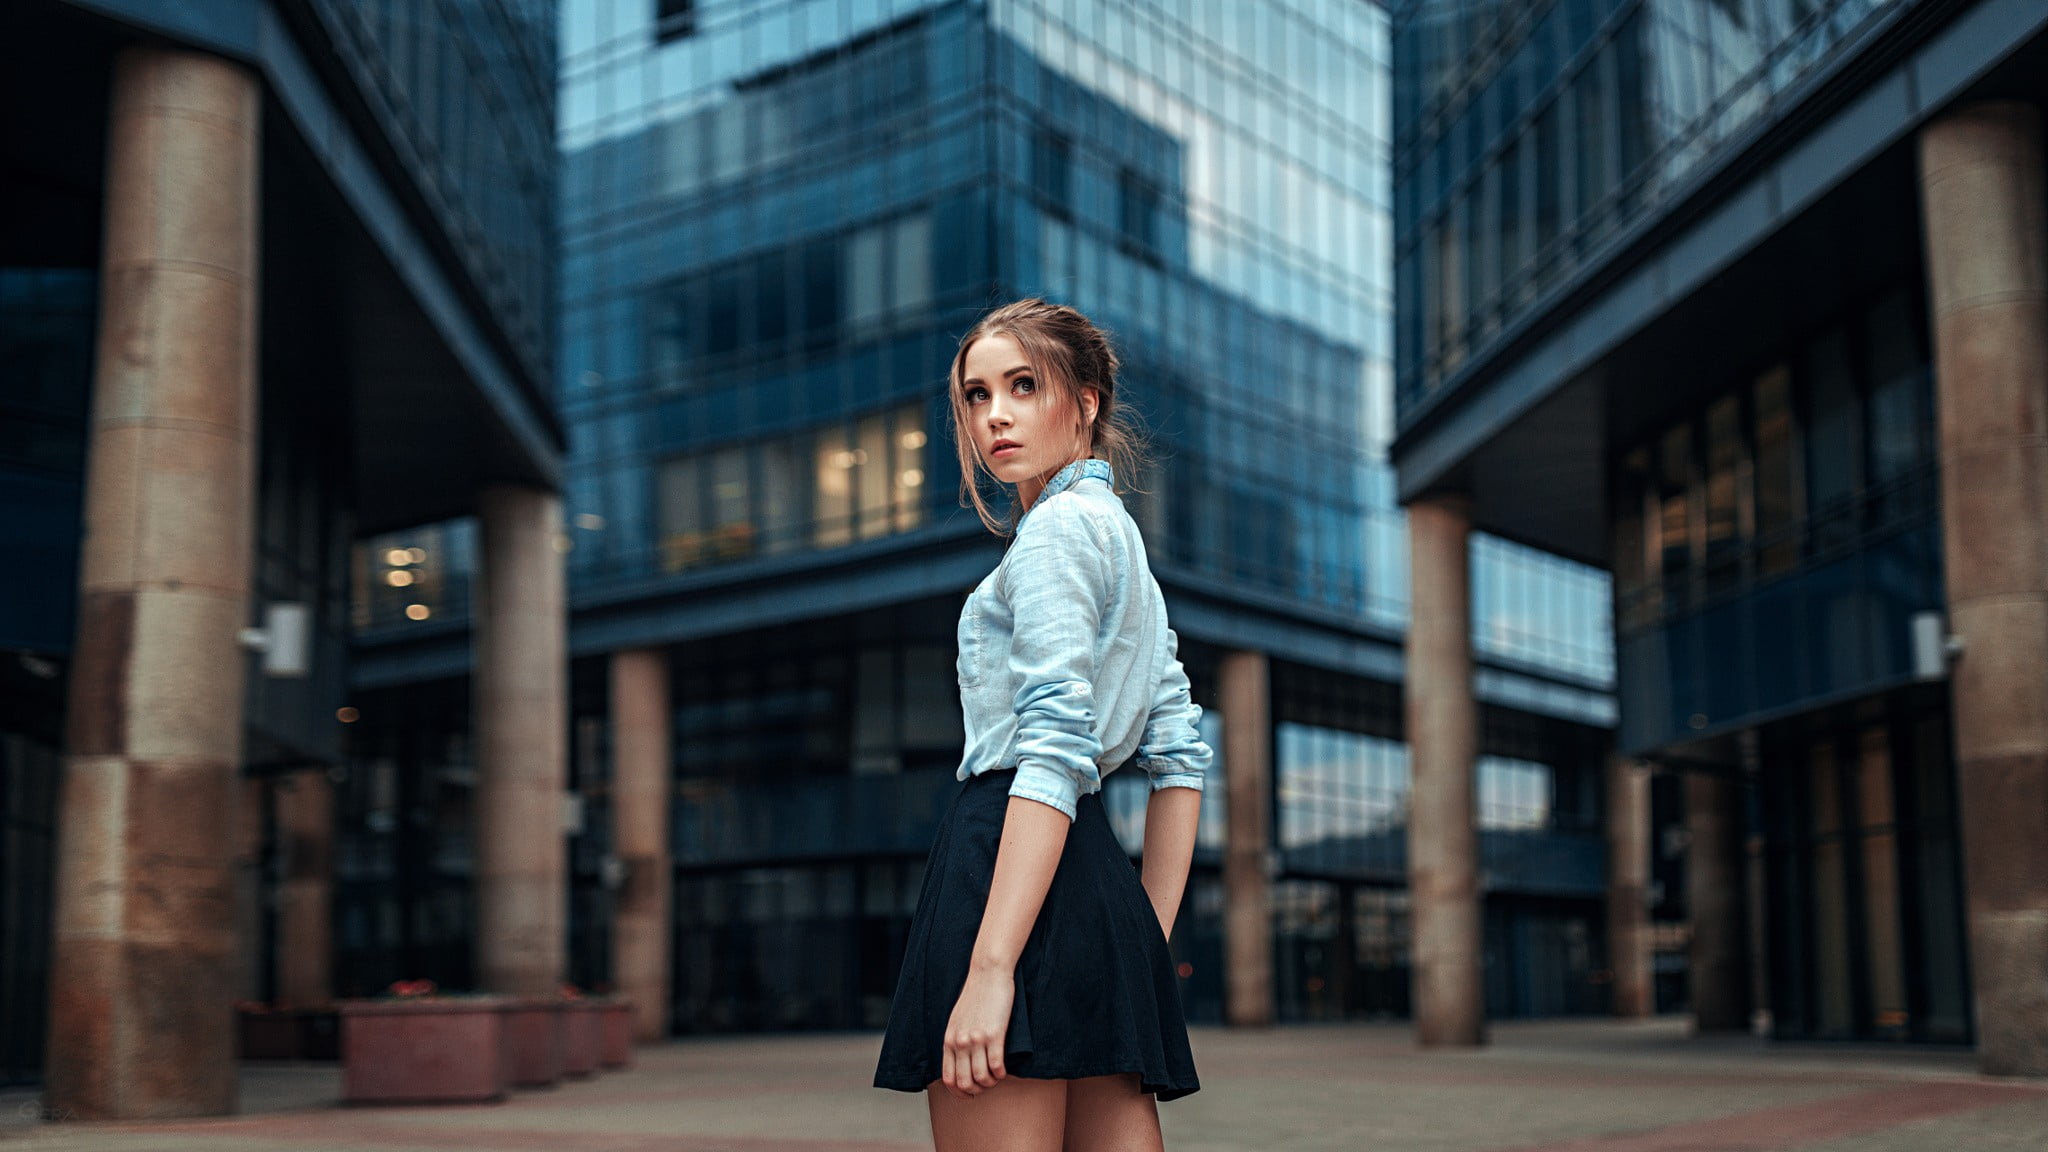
1058	581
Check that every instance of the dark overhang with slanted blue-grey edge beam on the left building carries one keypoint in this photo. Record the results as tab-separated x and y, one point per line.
351	284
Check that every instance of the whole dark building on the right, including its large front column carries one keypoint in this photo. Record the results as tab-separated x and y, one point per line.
1744	300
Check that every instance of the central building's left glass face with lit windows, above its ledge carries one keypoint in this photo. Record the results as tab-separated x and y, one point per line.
775	222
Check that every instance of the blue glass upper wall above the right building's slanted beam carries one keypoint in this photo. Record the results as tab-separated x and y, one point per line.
1529	134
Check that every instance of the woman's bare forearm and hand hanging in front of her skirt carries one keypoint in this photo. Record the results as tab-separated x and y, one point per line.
1025	864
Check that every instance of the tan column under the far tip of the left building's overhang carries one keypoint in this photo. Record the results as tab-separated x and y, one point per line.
523	745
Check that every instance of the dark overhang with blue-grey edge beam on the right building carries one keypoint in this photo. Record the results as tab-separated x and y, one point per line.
1527	427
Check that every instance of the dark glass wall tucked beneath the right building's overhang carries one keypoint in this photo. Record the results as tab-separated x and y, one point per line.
1775	542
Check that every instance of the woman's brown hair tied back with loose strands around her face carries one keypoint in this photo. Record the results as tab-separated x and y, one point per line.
1066	354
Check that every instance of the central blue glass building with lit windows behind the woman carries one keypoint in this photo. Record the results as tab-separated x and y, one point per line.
777	222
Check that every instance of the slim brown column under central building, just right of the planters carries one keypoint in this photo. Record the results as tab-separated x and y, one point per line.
640	823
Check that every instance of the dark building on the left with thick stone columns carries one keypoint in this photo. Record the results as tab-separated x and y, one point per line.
273	276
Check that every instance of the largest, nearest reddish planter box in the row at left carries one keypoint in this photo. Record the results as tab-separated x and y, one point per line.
425	1051
